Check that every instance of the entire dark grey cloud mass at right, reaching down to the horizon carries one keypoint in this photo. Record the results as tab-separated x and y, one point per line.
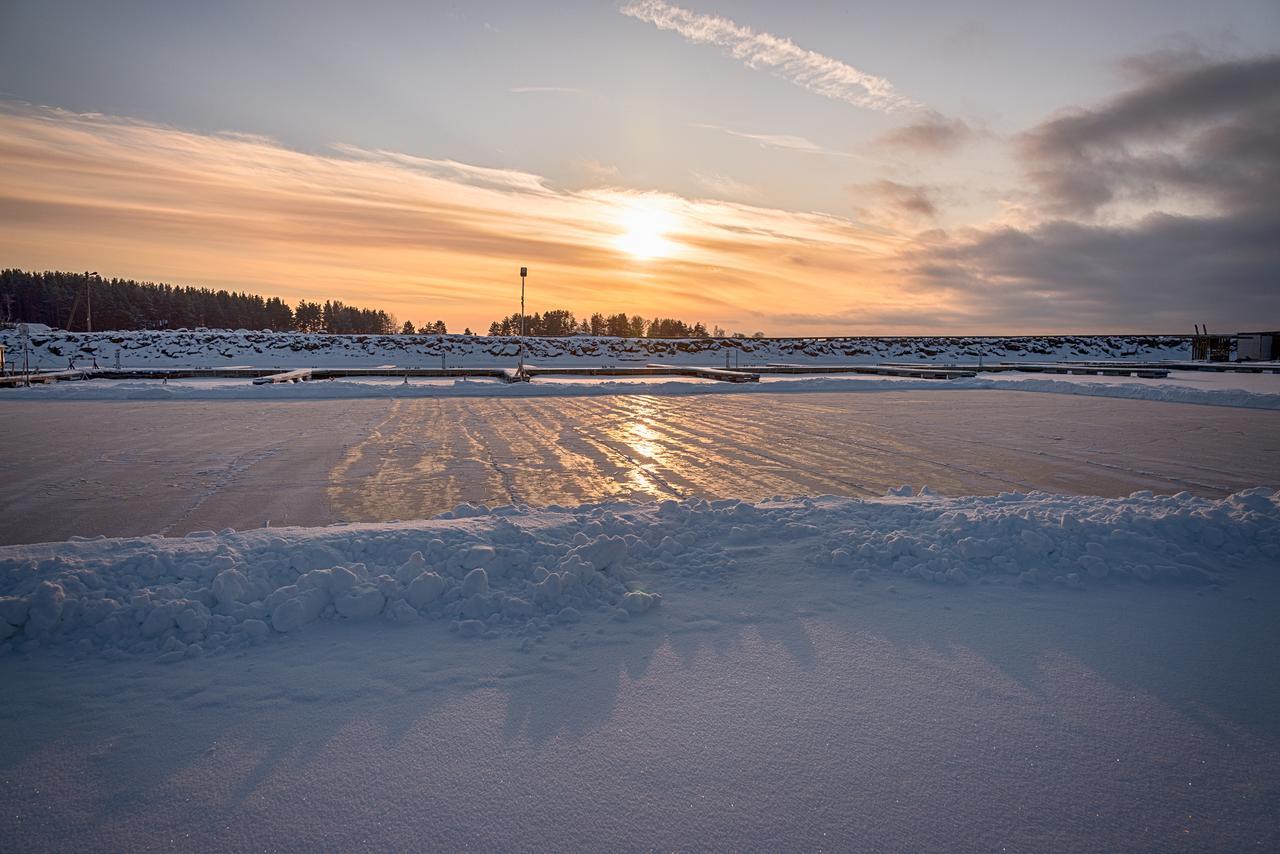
1194	156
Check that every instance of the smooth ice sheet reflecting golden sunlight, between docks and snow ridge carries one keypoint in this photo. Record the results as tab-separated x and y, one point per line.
125	468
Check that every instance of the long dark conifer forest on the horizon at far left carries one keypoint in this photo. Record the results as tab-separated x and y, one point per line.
71	300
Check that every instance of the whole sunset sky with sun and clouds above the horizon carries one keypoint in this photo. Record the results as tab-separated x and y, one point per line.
803	168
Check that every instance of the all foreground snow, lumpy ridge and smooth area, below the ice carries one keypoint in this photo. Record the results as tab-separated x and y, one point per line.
1027	670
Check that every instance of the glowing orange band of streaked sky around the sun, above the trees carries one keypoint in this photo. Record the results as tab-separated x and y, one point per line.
426	239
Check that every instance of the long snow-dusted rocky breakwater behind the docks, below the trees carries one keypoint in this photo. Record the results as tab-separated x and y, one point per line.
184	349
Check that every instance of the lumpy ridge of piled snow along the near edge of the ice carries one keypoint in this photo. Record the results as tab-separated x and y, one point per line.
518	573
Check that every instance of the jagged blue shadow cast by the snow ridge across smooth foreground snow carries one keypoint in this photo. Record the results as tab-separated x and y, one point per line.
1203	652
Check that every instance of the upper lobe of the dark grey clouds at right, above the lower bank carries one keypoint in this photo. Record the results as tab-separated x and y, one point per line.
1205	136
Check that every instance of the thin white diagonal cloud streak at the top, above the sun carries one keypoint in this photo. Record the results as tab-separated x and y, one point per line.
806	68
